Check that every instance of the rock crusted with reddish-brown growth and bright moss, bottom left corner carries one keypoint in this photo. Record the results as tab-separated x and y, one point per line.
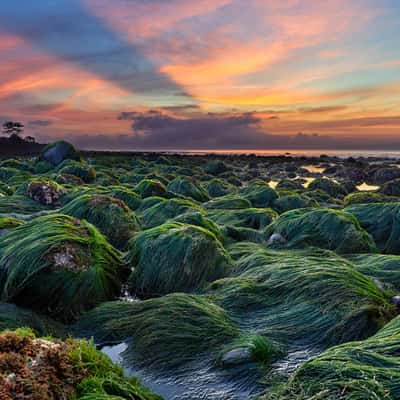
45	369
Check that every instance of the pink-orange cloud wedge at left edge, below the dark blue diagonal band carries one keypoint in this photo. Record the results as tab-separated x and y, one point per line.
46	78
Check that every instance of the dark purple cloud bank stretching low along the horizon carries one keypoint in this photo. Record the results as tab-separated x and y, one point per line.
156	130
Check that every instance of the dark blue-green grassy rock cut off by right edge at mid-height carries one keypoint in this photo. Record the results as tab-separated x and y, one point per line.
382	221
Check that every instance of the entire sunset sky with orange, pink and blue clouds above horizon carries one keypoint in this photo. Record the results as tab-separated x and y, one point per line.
203	74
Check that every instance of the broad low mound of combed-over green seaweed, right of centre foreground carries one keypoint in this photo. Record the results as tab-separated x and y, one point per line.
301	299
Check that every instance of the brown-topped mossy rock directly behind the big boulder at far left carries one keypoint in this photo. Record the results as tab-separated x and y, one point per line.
110	215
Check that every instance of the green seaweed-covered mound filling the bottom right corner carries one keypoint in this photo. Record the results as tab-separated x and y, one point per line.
367	370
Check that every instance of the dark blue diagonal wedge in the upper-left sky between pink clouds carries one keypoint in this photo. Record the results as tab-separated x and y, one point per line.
69	33
